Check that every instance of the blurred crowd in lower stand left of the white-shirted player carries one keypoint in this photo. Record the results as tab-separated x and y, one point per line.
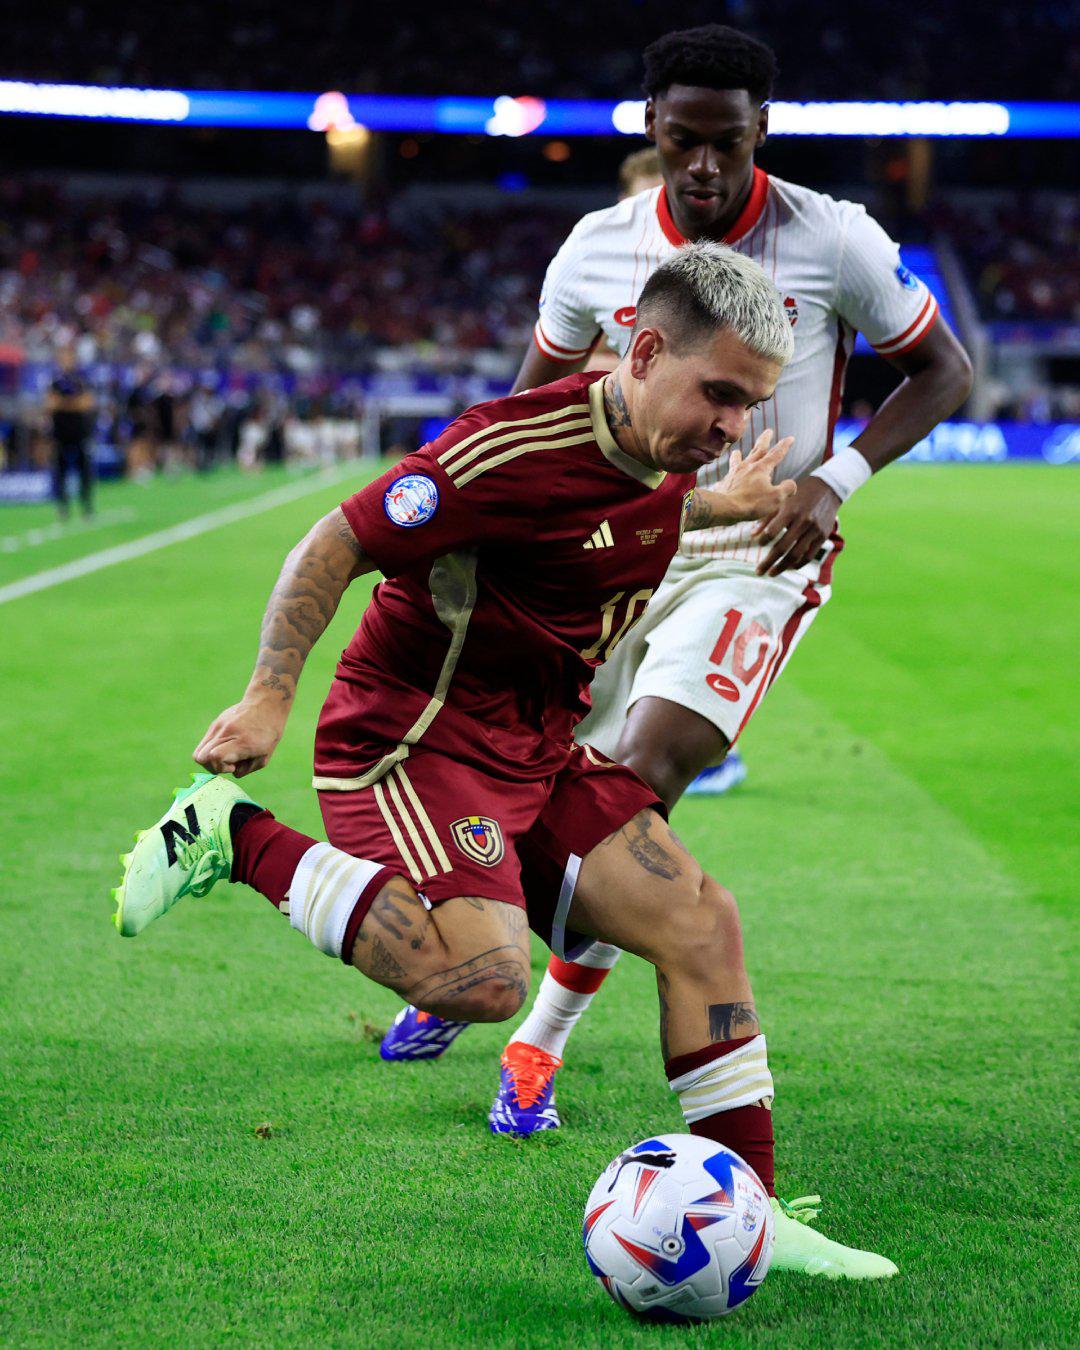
269	287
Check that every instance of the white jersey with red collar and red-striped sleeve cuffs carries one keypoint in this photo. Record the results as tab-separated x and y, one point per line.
839	275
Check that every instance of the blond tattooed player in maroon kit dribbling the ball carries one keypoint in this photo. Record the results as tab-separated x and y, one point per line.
518	549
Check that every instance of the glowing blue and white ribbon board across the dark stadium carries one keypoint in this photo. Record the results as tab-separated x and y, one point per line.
506	115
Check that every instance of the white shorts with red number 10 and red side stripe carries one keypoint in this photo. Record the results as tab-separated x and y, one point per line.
713	639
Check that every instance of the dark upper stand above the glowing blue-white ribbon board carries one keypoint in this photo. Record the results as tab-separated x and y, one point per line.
908	52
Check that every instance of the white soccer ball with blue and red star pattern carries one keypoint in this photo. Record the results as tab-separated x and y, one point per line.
678	1229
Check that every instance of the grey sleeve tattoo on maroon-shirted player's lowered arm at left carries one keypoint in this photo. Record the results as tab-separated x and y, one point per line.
304	600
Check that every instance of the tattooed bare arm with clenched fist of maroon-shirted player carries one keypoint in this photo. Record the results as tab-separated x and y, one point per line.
304	601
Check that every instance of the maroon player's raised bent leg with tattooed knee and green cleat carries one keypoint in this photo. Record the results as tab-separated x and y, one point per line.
466	959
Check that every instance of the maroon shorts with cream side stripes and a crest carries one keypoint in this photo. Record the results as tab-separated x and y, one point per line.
458	831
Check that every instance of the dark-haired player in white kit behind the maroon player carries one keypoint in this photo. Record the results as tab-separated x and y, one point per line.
736	603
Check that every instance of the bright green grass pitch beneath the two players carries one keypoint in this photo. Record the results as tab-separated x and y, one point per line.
199	1143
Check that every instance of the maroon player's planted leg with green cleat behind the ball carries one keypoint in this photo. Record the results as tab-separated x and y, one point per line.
642	890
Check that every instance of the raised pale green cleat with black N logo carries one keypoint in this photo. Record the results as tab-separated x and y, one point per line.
186	854
